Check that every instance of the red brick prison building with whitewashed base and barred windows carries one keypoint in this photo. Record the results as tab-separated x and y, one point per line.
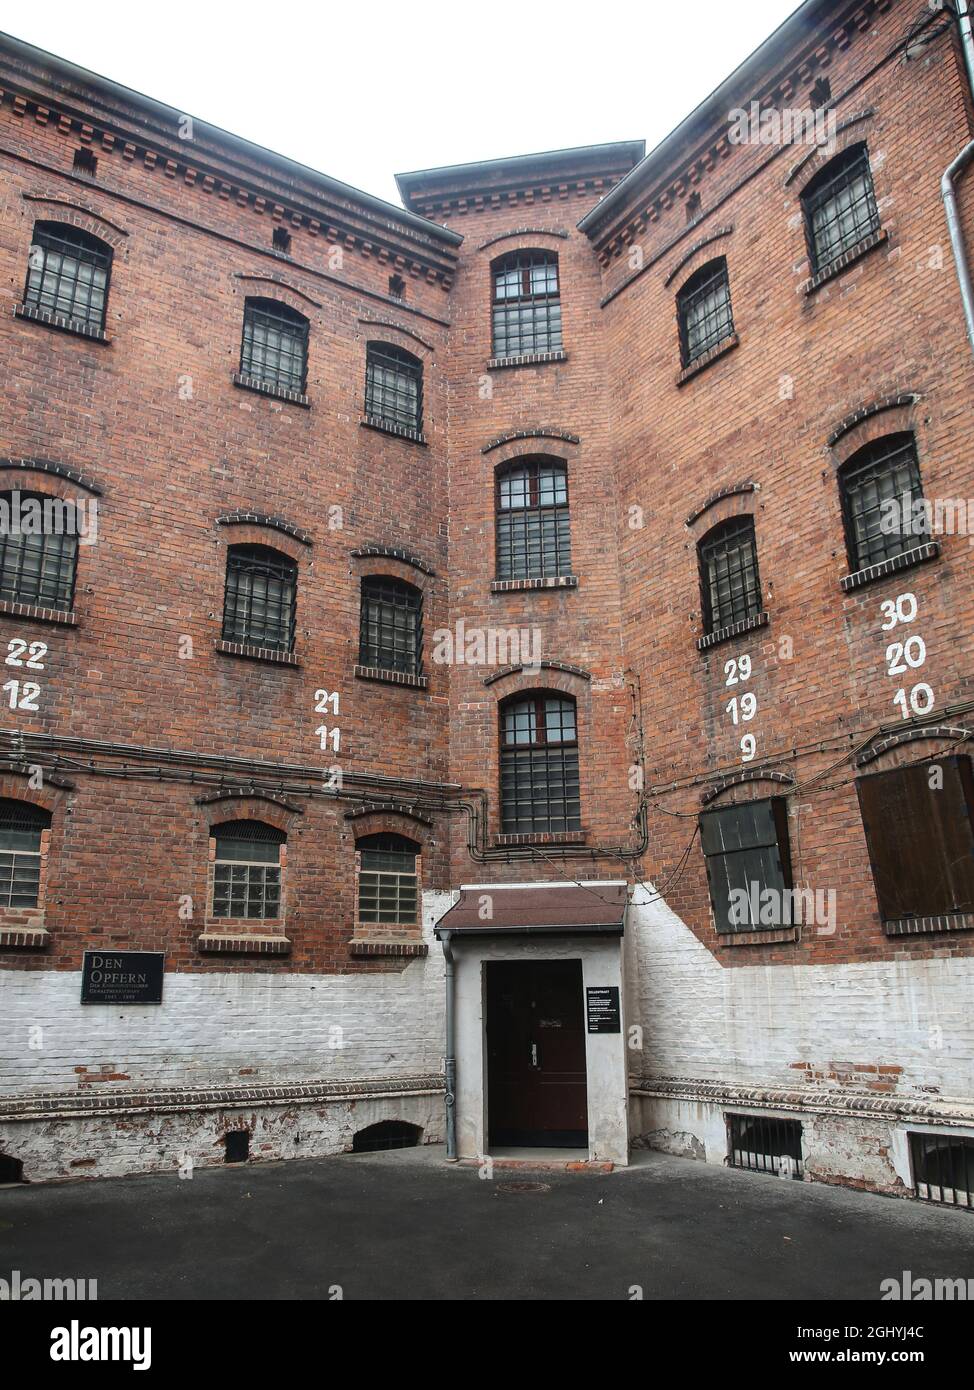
523	636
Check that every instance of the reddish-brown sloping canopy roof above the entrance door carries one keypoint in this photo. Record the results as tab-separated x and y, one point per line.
488	910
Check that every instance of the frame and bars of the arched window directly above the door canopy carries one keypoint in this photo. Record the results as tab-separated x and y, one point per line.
545	815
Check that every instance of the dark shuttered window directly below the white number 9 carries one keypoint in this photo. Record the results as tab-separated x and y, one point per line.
748	865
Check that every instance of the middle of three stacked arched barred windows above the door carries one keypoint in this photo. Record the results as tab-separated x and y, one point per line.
534	541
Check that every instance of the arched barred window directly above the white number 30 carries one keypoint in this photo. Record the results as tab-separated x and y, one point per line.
879	489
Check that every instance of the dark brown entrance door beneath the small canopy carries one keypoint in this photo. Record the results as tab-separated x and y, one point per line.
536	1043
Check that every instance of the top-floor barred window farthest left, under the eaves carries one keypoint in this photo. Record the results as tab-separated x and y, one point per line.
69	275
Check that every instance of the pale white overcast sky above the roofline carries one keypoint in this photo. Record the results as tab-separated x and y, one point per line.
373	90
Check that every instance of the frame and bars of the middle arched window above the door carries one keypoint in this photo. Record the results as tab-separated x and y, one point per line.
555	558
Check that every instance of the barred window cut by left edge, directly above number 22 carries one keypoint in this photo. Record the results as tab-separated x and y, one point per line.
38	557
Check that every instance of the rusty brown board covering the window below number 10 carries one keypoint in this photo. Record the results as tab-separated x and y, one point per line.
921	837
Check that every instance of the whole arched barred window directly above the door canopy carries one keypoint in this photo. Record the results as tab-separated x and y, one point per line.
540	789
